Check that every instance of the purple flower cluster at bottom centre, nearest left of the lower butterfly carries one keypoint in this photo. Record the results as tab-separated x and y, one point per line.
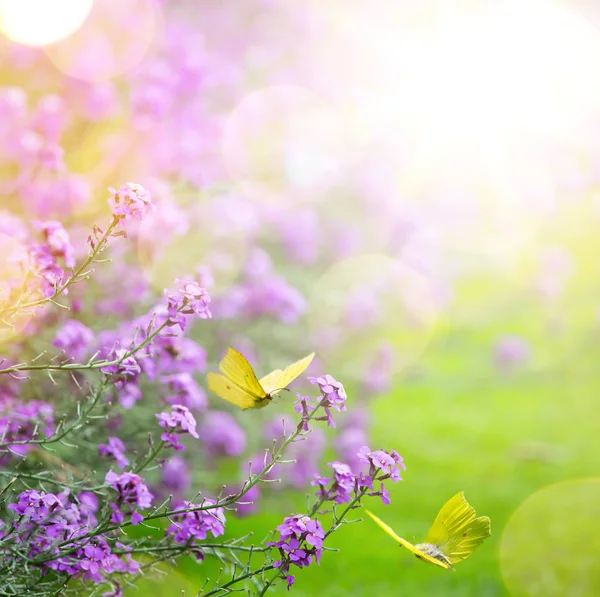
300	540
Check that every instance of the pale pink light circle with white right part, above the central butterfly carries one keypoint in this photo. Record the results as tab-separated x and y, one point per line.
283	143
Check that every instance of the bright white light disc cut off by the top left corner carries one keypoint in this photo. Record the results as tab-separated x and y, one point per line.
42	22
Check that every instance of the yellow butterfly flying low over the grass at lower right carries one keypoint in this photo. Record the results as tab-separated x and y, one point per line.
453	537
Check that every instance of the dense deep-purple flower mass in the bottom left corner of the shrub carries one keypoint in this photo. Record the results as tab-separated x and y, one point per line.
46	521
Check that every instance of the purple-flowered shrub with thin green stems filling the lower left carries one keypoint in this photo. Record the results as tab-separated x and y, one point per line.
79	530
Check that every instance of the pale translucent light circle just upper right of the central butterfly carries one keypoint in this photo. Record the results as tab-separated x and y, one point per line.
367	303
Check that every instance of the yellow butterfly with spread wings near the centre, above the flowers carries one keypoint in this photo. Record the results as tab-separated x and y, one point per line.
240	386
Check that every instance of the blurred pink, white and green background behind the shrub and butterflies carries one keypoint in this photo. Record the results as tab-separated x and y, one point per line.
411	189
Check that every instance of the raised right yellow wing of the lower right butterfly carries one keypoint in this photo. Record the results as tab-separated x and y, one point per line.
456	531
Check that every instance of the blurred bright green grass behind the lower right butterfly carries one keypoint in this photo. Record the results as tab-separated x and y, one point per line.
461	426
